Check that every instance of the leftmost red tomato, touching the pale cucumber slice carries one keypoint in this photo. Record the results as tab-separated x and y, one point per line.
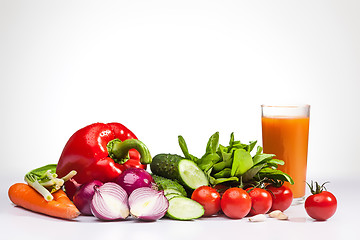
209	198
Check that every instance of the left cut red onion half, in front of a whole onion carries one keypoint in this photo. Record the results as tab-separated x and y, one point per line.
110	202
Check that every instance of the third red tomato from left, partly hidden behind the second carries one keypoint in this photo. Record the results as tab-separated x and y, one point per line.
261	201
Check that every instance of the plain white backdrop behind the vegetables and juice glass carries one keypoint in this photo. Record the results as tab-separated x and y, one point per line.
169	68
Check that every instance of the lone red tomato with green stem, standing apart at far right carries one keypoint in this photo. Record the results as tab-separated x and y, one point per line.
321	205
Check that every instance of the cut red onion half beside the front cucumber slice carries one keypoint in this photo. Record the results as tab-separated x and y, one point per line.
148	204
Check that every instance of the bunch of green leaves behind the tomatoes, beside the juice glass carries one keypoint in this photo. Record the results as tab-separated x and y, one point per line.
234	164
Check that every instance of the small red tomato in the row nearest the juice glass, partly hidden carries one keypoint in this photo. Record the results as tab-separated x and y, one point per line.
281	197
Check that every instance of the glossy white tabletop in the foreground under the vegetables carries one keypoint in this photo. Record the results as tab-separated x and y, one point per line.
17	223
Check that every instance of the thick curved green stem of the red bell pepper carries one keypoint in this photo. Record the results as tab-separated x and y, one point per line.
119	150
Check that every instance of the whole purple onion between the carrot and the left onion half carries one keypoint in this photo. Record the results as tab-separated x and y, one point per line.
82	198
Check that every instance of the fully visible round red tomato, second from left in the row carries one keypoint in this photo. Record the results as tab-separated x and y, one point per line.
235	203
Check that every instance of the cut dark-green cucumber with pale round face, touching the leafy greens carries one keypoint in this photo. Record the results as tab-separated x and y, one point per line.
175	167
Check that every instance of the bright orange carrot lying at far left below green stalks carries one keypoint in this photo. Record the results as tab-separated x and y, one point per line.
25	196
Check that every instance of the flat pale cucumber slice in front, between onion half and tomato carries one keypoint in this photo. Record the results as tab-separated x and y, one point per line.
182	208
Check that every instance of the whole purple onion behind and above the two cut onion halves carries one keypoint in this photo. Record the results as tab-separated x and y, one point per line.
134	178
